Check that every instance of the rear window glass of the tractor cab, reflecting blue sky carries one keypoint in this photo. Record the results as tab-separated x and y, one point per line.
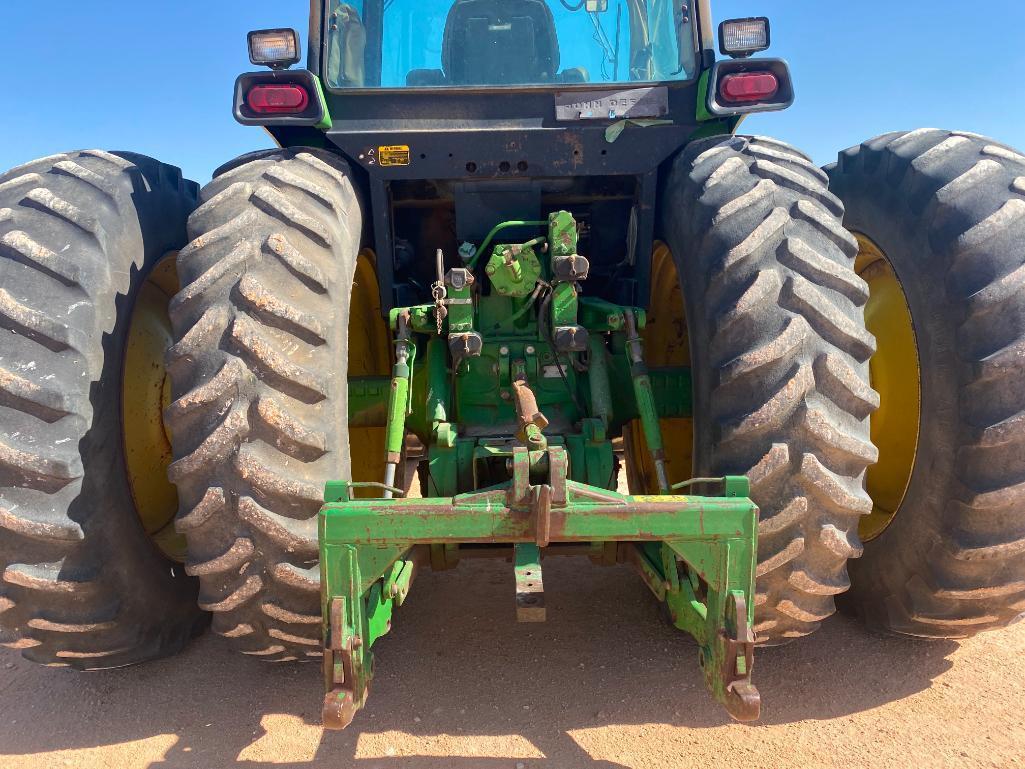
493	44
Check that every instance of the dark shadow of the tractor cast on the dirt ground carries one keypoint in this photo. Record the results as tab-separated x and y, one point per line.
459	671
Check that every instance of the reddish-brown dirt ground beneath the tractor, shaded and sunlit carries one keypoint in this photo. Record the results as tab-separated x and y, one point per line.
602	684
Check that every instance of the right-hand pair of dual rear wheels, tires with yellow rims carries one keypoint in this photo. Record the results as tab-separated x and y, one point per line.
910	253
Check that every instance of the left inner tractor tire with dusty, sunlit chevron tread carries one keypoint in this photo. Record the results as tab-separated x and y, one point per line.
260	417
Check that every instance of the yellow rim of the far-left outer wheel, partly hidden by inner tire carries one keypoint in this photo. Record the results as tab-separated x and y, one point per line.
146	393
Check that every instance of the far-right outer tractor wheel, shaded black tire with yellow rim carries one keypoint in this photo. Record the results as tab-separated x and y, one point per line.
940	219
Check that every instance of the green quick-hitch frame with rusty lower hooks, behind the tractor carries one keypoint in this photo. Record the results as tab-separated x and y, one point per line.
698	554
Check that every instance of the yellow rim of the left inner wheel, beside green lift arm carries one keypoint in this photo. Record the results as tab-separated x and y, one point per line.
370	355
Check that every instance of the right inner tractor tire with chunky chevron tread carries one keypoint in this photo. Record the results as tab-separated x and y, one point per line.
780	357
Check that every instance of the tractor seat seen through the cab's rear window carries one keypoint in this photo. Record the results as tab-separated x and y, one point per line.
497	43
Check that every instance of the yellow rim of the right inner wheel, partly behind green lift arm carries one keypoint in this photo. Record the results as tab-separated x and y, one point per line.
666	344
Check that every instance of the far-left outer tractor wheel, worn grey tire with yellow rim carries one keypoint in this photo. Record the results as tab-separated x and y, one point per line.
86	240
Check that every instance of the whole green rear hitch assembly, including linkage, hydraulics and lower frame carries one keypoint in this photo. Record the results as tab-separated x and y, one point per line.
520	454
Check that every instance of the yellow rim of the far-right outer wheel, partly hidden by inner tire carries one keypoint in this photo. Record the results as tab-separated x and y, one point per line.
896	376
